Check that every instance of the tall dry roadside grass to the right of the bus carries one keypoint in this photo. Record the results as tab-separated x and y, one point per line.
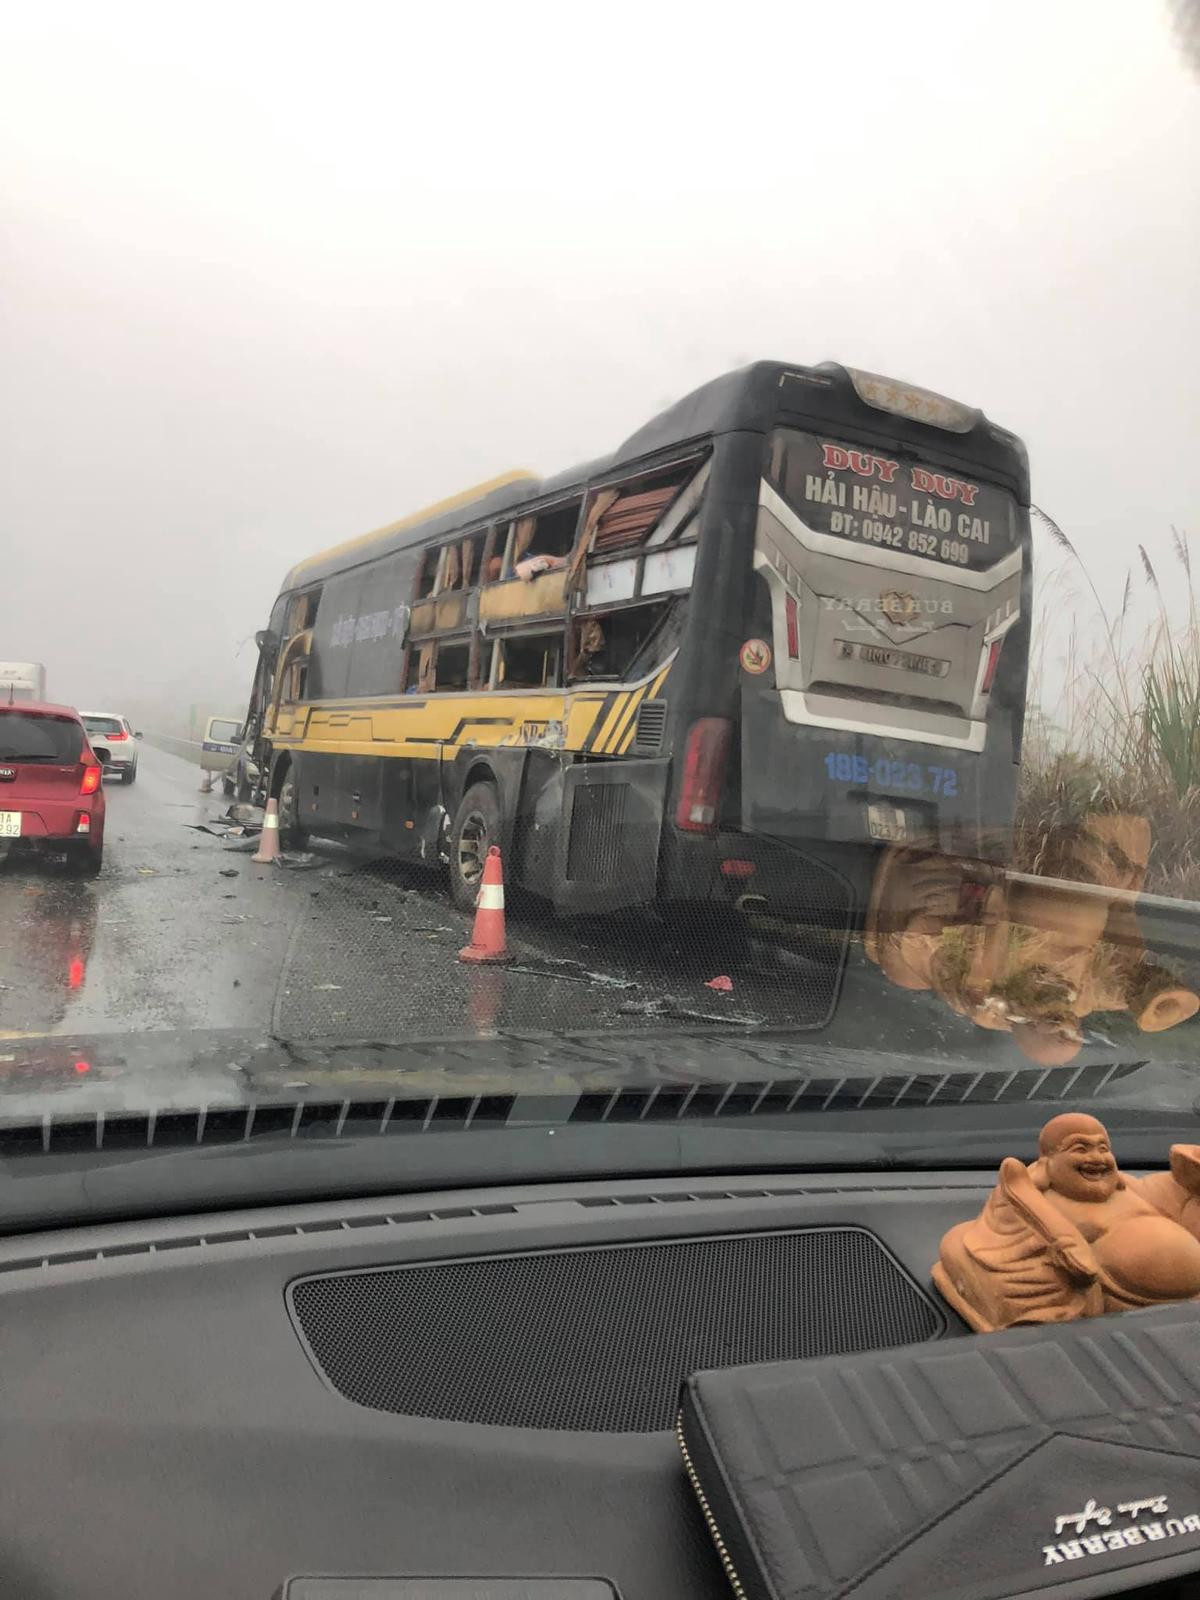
1126	729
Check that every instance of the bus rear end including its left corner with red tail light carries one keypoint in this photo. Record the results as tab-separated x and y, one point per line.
881	657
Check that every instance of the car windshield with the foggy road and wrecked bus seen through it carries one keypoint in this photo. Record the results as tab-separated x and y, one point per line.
602	633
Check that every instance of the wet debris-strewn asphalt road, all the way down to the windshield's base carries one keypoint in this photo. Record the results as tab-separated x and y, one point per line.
185	969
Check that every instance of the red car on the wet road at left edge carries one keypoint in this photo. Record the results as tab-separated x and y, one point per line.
52	798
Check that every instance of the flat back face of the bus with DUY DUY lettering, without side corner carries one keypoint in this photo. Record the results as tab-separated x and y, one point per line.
884	674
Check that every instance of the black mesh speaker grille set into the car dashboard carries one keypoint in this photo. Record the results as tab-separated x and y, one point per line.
601	1338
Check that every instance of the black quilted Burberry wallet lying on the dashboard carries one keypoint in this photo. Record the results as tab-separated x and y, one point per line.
1041	1462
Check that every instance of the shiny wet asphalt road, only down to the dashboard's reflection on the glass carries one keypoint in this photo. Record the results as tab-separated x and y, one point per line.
183	932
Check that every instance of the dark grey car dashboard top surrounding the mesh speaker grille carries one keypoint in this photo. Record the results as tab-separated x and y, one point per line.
465	1394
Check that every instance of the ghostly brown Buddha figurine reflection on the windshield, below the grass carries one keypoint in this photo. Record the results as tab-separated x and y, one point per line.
1025	956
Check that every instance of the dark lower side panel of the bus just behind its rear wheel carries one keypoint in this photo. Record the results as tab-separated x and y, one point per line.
610	838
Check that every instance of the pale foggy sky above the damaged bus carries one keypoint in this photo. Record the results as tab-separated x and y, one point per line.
274	276
